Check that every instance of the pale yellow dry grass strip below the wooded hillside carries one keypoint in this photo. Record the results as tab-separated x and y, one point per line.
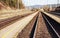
11	13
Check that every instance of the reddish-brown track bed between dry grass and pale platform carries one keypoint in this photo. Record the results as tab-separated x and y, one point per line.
5	22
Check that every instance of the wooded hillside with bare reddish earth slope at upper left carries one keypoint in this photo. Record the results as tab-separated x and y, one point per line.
11	4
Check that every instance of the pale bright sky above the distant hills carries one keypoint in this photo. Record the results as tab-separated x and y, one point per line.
39	2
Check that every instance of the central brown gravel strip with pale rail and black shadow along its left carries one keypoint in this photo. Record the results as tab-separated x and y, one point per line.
39	28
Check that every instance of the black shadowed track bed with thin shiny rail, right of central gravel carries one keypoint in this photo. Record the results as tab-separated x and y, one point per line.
53	26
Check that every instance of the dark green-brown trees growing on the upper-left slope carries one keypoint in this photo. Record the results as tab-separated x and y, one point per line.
13	3
